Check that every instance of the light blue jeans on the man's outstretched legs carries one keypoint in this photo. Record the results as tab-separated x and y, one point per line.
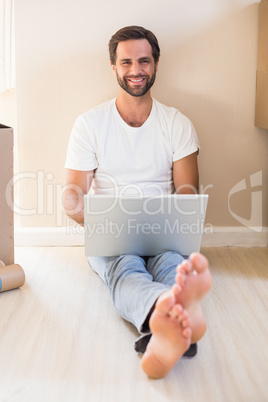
135	283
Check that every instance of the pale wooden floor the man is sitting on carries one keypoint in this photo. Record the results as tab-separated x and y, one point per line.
61	340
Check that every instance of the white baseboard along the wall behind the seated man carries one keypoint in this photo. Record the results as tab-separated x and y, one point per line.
74	236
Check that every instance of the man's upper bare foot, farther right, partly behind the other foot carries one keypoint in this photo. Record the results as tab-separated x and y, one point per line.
193	281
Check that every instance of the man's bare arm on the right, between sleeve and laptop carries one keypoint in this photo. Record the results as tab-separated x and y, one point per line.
185	175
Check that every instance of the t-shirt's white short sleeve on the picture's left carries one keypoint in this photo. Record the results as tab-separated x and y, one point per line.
81	152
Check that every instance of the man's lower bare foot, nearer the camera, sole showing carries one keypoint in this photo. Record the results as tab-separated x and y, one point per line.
171	336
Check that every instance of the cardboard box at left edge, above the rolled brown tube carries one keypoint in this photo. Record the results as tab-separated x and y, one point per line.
6	185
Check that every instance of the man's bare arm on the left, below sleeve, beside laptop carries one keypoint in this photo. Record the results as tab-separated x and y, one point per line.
77	185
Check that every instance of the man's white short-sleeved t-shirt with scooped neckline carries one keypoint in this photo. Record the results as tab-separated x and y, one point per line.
130	160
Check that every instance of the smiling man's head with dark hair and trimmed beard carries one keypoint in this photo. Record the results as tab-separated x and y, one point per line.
134	55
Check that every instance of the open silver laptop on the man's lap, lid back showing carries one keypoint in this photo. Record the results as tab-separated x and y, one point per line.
145	226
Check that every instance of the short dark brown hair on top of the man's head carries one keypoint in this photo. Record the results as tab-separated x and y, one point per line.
133	32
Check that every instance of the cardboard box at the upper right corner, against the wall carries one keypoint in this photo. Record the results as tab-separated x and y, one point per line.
261	110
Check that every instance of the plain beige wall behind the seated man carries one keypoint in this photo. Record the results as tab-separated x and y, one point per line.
207	70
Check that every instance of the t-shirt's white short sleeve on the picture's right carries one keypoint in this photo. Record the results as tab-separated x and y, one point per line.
183	137
